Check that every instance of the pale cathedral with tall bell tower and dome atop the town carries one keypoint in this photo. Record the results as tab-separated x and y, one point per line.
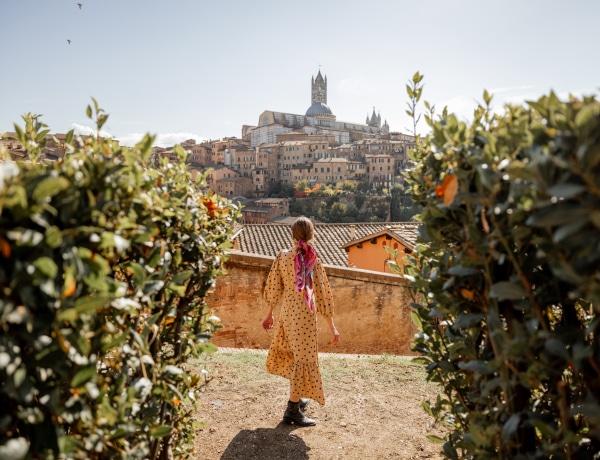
319	119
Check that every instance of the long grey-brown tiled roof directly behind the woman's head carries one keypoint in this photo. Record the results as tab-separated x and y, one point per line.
269	239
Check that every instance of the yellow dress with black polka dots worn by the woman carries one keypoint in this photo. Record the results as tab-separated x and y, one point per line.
293	353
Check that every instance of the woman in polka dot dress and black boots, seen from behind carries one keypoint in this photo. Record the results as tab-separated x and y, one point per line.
298	277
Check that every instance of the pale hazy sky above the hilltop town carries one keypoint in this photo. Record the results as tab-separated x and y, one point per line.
194	68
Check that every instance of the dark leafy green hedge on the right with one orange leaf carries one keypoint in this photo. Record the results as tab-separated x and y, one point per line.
508	278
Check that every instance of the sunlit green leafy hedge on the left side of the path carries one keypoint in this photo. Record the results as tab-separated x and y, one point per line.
106	261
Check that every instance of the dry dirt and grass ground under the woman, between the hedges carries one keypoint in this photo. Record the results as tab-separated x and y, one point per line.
373	411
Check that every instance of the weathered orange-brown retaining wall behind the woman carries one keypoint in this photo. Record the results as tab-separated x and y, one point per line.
371	308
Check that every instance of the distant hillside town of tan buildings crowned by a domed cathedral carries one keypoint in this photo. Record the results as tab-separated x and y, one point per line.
284	149
